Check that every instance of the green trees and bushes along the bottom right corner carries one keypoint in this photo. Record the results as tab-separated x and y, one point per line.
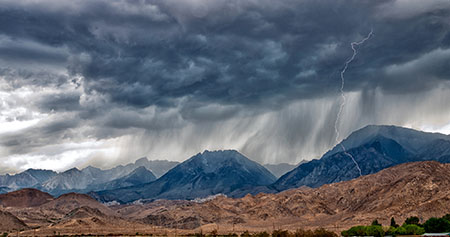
411	226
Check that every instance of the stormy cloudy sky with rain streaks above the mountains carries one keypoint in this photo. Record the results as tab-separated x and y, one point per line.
106	82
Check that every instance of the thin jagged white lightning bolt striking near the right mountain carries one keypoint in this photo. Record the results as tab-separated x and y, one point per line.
343	98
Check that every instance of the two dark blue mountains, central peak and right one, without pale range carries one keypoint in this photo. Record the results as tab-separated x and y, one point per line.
373	148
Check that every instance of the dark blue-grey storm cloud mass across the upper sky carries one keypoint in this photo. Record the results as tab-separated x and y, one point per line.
150	52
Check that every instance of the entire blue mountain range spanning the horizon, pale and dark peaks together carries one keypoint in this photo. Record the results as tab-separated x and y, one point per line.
369	149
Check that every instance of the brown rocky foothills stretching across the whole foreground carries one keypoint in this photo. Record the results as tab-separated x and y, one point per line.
418	188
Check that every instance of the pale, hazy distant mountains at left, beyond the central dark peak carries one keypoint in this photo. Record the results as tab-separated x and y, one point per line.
87	179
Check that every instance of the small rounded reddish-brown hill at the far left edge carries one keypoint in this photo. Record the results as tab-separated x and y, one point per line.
27	197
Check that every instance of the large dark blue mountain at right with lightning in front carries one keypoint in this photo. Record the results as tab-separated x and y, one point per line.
374	148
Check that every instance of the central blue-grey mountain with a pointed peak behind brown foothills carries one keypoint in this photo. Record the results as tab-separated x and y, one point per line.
207	173
